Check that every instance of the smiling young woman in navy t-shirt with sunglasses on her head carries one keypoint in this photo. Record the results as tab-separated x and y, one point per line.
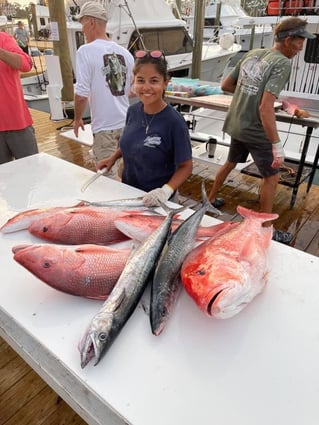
155	144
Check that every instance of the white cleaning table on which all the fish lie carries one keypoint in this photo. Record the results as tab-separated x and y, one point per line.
259	367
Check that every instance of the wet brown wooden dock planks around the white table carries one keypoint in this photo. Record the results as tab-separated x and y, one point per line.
24	398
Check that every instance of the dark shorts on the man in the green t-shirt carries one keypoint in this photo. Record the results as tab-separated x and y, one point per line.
260	151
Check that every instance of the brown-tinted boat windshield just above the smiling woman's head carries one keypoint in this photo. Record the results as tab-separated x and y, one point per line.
171	41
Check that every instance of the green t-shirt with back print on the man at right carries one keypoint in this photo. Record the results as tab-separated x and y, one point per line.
258	71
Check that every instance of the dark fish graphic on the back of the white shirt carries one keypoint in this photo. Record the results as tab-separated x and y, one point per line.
115	72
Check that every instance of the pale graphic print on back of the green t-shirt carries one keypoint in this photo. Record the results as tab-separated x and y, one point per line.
251	75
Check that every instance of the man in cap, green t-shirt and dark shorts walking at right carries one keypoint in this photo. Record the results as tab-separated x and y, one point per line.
256	82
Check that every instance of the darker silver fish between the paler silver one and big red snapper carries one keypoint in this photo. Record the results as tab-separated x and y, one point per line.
166	283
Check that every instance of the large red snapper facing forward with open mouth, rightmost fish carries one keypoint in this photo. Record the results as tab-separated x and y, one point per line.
225	273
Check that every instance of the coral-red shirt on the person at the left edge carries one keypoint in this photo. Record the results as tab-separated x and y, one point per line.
14	112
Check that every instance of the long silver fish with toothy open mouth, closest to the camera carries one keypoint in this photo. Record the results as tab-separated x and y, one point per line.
117	309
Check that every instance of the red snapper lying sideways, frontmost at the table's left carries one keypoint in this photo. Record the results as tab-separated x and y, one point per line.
89	271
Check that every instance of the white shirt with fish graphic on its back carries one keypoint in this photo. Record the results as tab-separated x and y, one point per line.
104	74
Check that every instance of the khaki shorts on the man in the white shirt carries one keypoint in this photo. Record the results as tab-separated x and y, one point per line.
105	144
